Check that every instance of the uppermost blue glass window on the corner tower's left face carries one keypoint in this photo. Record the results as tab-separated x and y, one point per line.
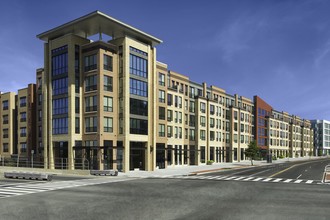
60	60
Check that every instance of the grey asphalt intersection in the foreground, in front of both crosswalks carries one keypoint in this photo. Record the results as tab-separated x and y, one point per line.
174	199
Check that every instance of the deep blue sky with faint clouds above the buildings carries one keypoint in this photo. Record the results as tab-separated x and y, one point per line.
279	50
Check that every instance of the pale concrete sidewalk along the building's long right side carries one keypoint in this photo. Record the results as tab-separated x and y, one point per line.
185	170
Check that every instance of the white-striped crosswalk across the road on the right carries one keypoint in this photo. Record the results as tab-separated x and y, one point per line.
241	178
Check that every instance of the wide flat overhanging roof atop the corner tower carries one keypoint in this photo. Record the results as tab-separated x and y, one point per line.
95	23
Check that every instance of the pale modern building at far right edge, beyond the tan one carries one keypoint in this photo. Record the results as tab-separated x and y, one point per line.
321	137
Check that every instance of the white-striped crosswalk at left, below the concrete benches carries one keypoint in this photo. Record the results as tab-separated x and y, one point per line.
17	189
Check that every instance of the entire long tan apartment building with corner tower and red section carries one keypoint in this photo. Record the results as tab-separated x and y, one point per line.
109	104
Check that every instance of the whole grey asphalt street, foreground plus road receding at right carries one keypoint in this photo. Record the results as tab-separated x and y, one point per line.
179	197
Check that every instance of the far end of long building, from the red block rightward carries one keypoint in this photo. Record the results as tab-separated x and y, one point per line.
280	134
